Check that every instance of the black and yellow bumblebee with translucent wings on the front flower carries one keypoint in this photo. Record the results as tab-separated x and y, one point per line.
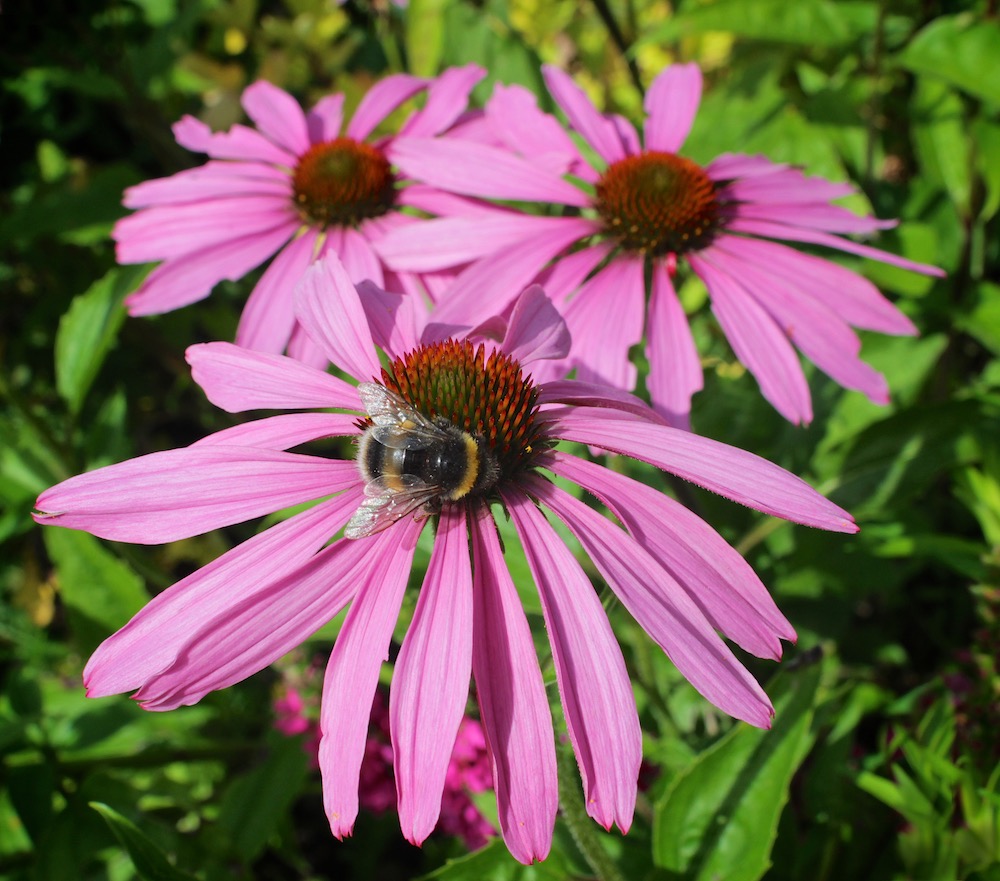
410	462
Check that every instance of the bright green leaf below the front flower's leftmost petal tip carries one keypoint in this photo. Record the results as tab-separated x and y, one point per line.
100	591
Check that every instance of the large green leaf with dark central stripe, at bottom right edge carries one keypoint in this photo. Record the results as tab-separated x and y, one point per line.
720	817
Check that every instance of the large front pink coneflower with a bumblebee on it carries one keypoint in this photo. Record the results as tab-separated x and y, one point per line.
679	579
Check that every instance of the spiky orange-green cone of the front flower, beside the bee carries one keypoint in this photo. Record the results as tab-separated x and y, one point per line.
489	397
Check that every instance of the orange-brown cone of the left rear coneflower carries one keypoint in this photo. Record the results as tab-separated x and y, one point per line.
342	183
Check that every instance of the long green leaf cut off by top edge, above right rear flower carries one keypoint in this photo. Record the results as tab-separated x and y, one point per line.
807	22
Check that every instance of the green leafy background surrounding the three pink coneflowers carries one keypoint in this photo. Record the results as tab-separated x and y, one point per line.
883	759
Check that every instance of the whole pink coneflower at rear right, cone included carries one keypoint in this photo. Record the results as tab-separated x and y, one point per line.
633	216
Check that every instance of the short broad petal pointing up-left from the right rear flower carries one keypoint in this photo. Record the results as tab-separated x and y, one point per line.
524	129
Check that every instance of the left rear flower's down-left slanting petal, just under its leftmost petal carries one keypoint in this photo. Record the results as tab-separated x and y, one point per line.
192	277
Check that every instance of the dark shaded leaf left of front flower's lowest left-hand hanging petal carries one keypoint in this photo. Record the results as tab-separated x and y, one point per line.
256	803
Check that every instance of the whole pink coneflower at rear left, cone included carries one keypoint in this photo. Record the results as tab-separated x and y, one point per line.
297	186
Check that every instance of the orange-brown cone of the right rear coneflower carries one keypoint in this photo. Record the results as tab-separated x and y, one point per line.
658	203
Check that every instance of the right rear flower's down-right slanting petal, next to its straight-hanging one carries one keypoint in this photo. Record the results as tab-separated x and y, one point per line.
758	343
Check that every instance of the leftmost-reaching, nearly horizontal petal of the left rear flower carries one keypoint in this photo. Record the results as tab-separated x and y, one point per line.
165	232
